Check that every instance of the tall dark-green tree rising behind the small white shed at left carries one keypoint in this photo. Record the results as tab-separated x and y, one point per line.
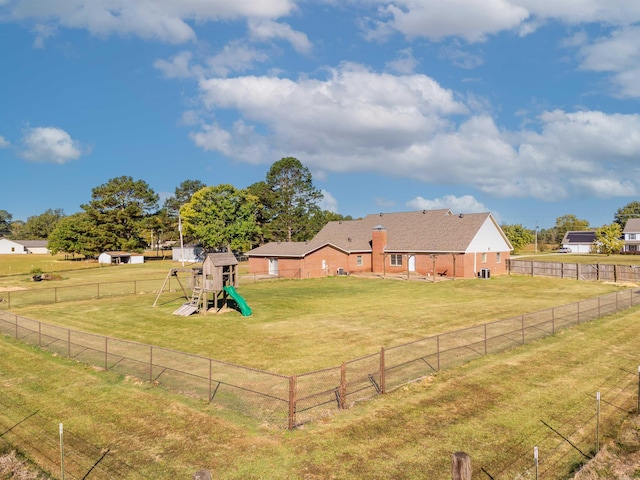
119	209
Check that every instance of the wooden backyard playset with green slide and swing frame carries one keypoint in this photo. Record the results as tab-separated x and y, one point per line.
212	284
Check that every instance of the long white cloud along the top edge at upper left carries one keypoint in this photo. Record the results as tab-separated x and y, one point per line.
163	20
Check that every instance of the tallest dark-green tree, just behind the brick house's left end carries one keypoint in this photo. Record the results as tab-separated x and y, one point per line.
295	199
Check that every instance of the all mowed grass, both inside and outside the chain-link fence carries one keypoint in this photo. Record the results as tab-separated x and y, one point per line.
485	407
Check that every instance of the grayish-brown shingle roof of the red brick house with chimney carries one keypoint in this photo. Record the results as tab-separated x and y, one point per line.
420	231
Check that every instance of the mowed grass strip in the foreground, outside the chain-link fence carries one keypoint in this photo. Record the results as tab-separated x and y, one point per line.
486	408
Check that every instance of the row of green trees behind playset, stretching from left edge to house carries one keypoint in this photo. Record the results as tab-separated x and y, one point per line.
124	215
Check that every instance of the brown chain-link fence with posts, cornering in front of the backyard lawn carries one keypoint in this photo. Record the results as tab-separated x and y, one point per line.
286	401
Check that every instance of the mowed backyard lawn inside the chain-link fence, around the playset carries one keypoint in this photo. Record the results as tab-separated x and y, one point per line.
300	326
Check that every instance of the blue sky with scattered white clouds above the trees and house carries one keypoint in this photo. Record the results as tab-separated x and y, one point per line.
528	109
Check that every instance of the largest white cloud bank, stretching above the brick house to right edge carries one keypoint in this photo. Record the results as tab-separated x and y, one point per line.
408	126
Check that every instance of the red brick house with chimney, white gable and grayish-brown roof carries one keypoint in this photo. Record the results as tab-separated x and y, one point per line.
427	242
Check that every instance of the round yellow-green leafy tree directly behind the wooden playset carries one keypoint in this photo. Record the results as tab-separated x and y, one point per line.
221	217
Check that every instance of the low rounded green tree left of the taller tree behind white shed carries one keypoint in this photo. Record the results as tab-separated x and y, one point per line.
76	234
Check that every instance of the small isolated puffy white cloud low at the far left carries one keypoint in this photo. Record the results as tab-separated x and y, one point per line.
50	145
